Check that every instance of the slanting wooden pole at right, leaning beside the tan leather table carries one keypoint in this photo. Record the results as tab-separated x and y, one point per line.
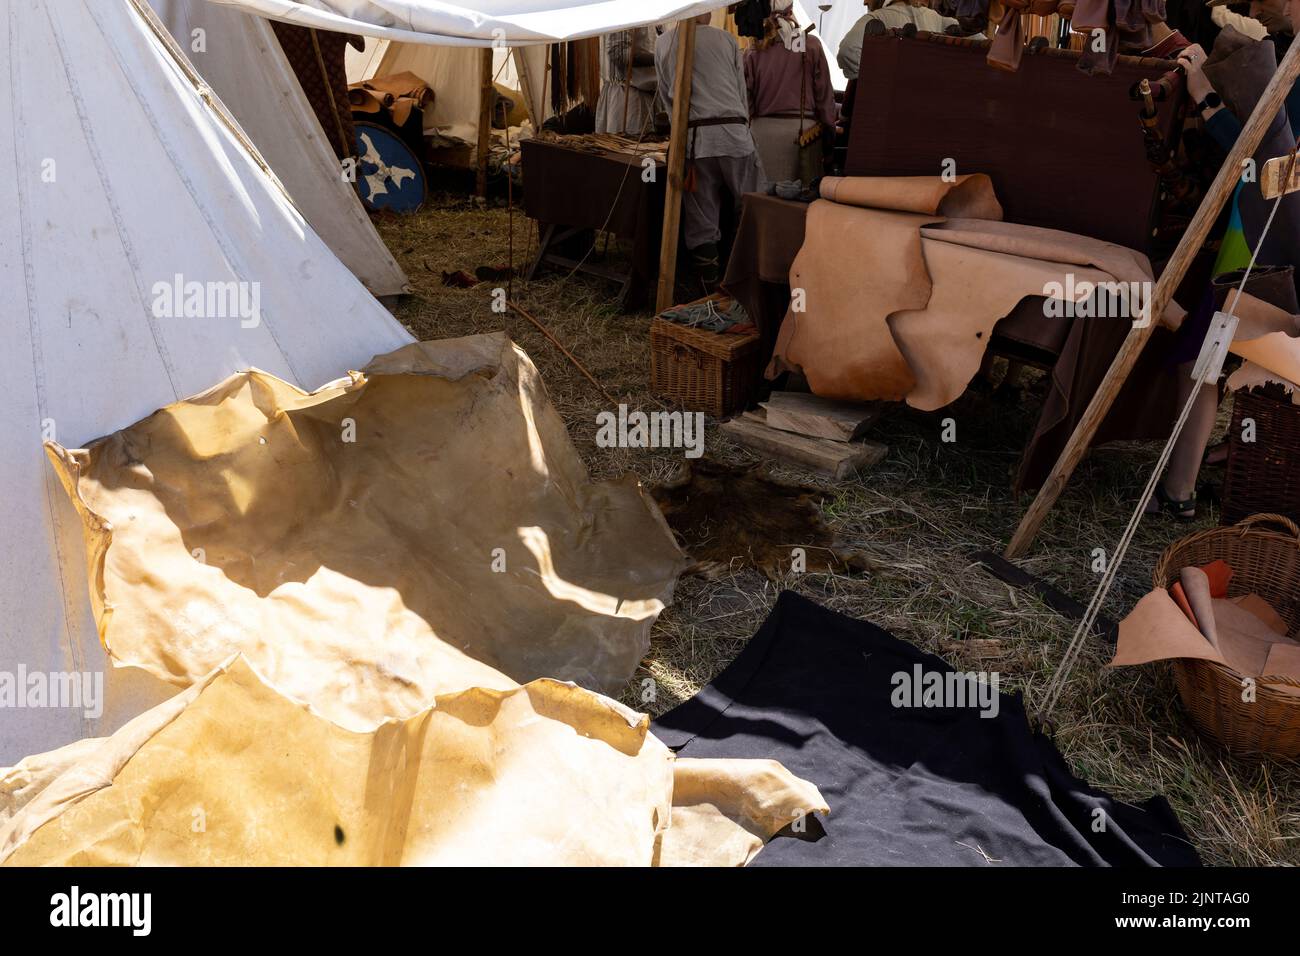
1169	280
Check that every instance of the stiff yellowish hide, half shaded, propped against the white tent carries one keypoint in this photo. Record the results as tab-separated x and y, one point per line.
415	530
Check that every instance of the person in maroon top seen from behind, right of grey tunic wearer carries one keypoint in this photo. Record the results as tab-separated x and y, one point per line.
790	94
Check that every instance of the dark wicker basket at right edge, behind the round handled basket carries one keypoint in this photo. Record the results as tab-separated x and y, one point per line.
1264	475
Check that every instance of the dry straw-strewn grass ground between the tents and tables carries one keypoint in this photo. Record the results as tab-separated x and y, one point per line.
918	516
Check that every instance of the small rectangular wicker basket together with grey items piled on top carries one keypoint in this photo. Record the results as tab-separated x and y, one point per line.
705	357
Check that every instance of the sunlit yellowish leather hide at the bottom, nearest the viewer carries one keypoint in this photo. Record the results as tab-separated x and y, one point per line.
232	772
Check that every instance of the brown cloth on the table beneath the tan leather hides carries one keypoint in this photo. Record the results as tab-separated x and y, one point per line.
772	235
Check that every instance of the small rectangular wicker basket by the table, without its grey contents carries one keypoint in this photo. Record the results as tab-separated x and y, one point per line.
704	371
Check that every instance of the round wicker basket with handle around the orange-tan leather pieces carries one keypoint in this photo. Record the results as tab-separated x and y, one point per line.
1264	563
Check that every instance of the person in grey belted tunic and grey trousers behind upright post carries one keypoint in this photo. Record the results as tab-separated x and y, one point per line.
721	155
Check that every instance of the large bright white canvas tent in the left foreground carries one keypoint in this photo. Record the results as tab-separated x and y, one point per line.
118	175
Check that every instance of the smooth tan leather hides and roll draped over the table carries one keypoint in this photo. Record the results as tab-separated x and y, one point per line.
917	323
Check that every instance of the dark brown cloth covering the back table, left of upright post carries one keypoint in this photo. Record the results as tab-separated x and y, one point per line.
597	191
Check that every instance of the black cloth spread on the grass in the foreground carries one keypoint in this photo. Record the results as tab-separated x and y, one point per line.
908	786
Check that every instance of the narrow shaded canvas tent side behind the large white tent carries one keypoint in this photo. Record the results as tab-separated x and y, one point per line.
240	58
